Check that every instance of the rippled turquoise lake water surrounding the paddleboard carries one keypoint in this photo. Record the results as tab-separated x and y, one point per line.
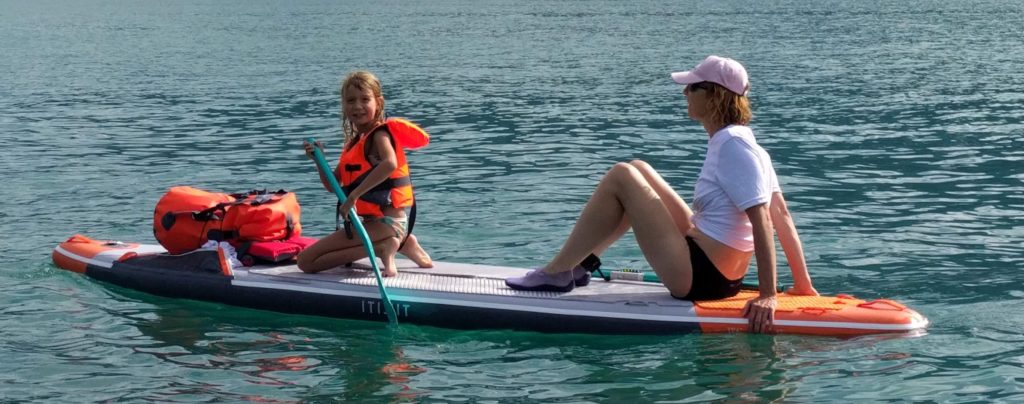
897	130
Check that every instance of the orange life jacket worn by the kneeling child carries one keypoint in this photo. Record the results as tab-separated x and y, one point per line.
397	191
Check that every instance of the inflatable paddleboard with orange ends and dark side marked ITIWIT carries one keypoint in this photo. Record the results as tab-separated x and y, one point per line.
464	296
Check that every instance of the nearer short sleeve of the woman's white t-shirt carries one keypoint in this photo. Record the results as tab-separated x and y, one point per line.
744	175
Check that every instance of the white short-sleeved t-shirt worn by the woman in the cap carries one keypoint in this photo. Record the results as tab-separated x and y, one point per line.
738	174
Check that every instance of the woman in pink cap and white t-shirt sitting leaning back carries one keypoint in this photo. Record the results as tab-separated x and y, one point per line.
701	255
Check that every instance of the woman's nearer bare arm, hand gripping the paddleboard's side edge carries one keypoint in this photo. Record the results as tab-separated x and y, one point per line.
761	310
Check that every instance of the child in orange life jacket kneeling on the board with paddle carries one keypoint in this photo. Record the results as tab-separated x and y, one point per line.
373	171
